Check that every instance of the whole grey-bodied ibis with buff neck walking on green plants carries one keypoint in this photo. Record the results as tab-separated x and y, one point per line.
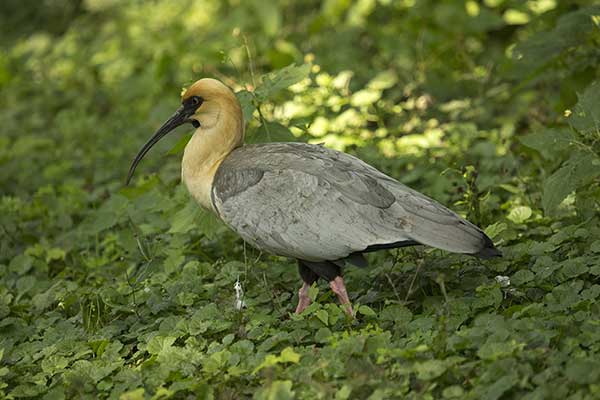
322	207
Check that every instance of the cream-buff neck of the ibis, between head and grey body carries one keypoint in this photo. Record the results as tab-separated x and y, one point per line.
221	130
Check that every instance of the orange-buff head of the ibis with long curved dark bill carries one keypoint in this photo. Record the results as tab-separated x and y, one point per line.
202	105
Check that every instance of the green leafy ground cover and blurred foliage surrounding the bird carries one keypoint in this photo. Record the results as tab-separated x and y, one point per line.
107	291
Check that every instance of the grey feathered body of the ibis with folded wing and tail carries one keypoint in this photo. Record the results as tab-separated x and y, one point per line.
313	203
